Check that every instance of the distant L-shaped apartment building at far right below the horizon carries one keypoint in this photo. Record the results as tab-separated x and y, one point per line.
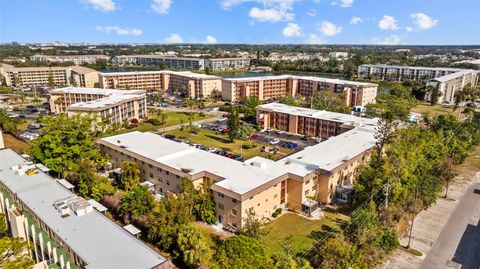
447	80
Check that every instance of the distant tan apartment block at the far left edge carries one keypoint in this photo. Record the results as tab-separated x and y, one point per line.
34	76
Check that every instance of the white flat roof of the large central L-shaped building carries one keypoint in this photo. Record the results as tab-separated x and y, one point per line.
242	177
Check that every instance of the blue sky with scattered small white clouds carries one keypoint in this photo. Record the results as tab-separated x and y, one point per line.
407	22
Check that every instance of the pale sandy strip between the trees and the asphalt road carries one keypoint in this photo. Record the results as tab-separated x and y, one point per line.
428	226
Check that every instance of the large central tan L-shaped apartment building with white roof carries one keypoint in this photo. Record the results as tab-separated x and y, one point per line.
298	182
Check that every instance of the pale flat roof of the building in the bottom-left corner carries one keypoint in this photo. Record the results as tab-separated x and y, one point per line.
96	239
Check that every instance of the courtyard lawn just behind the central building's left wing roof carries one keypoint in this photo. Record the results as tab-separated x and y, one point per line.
212	139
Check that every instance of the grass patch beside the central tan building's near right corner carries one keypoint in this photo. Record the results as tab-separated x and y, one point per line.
299	229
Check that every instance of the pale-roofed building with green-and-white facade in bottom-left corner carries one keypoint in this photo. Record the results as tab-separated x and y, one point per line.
64	230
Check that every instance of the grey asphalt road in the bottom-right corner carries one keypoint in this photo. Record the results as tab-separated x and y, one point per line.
458	245
